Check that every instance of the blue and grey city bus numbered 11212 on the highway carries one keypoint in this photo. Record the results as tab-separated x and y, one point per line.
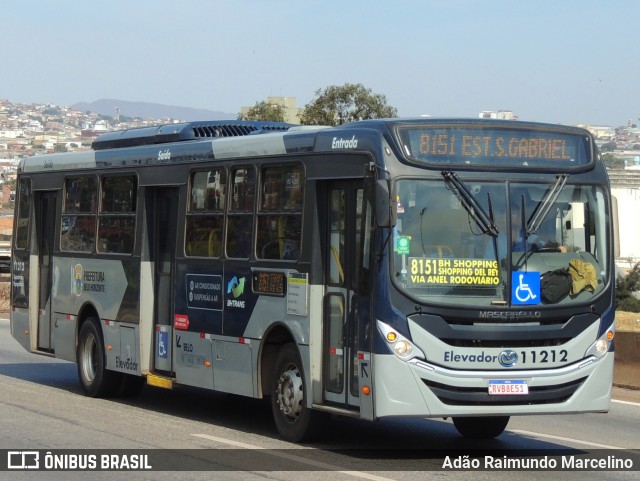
428	268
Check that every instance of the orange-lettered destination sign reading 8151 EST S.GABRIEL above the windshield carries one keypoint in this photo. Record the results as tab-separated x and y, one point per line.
460	145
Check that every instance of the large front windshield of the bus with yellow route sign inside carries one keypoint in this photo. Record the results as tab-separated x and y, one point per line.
443	255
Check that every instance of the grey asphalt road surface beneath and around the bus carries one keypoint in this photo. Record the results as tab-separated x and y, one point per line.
229	437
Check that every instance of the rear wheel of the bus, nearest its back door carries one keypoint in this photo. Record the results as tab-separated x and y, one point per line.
95	379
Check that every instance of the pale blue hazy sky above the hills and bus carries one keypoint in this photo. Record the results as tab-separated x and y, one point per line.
560	61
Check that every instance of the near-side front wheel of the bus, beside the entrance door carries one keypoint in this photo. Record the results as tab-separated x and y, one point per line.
294	420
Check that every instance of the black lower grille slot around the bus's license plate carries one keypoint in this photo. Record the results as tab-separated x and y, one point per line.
464	396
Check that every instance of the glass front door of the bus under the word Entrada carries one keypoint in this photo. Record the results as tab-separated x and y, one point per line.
346	360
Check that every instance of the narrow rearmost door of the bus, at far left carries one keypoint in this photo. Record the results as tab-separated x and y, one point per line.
45	213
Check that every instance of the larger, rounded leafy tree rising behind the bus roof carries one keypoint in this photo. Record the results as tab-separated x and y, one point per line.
339	104
